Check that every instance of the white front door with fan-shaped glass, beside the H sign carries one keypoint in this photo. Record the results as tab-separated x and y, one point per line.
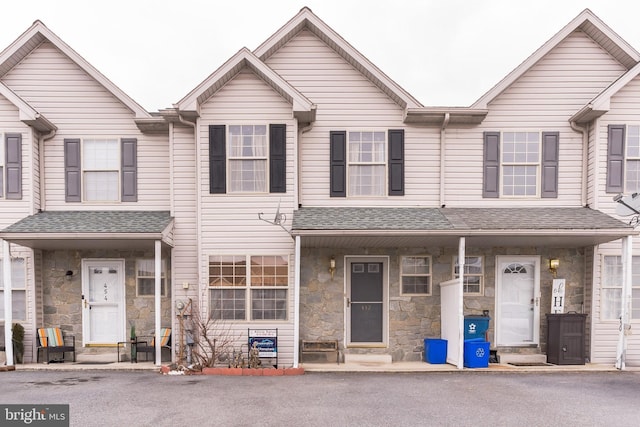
517	300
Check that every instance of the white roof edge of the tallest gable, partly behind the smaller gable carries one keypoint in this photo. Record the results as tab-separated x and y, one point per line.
305	19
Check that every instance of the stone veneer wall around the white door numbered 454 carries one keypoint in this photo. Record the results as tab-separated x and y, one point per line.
62	303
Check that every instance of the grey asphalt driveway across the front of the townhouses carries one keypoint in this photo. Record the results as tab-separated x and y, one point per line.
110	398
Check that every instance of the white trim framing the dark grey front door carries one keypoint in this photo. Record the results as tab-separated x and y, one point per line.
353	259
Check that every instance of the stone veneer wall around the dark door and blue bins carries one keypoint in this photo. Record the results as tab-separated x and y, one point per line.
413	318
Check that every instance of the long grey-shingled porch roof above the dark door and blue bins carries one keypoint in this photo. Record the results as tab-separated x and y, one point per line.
481	227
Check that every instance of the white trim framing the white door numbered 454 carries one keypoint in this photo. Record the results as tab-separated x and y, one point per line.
120	321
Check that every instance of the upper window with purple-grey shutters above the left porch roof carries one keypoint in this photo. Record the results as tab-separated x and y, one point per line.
100	170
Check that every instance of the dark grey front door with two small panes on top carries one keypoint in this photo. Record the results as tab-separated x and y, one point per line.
366	306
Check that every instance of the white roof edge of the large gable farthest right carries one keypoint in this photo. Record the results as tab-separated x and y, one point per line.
586	21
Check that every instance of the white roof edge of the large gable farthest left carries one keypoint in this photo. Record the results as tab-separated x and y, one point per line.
39	33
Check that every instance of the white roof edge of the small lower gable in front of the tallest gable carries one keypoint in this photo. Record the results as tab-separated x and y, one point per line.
303	109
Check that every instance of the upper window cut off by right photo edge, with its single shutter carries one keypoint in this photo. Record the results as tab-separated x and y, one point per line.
623	159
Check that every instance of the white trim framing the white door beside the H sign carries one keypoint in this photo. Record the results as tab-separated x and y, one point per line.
503	259
